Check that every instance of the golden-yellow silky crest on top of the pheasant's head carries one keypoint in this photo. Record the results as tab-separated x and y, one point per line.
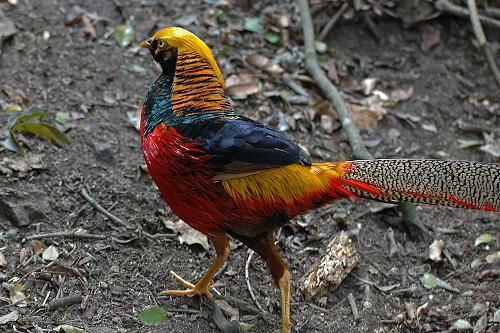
185	40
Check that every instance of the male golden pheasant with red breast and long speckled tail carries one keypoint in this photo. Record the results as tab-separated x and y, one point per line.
223	173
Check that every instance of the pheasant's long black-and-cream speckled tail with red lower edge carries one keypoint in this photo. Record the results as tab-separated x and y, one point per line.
448	183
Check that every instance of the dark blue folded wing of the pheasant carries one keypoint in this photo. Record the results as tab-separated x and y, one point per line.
242	147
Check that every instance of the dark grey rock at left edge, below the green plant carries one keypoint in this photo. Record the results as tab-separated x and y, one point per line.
22	208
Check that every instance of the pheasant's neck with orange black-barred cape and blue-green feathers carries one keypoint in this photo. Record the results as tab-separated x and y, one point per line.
186	92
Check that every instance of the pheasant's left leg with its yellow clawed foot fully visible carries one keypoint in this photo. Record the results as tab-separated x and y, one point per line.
201	287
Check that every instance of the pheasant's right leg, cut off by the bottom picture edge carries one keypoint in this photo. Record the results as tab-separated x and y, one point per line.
264	245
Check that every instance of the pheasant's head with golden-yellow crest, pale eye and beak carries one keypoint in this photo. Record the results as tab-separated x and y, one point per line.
166	44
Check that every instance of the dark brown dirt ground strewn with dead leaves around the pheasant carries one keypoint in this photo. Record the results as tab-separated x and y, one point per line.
120	274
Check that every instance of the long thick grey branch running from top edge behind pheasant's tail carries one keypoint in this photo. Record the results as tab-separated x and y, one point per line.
356	142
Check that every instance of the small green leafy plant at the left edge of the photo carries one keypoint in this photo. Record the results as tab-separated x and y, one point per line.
29	122
